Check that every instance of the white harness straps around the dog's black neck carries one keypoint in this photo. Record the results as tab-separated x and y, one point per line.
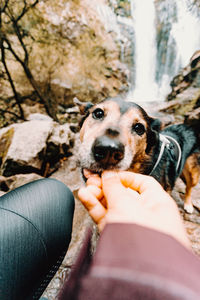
172	146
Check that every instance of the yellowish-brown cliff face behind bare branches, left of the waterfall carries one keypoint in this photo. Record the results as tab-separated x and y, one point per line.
83	55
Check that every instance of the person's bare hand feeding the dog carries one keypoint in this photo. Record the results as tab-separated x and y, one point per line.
132	198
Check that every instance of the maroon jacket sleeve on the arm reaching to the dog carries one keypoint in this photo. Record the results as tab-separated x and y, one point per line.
134	262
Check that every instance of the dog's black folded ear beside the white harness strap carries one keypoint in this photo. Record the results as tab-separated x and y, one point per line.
152	134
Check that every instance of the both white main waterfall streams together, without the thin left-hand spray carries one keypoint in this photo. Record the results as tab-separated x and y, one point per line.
180	39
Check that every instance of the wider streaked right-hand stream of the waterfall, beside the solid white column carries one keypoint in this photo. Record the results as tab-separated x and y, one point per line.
179	39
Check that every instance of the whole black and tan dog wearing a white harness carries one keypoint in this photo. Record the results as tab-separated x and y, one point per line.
120	135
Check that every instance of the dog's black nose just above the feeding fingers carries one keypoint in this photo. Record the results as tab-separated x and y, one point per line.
108	151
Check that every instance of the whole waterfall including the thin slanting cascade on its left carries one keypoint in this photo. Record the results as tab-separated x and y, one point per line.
162	36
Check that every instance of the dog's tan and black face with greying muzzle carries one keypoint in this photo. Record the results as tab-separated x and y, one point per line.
116	135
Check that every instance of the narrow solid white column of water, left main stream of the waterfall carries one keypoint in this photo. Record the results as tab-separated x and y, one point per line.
143	14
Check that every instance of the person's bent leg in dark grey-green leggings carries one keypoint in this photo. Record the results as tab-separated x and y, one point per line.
35	232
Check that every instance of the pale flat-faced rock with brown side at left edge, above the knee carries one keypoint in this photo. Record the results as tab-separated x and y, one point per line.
26	147
